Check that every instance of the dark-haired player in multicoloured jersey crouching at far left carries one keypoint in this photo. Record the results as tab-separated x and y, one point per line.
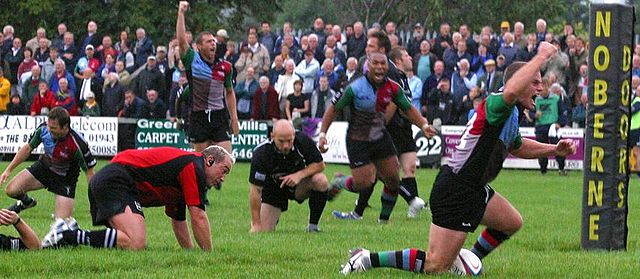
57	170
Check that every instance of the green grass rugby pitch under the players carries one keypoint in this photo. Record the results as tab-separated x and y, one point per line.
548	246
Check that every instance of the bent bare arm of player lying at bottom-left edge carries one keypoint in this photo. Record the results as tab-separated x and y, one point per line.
27	240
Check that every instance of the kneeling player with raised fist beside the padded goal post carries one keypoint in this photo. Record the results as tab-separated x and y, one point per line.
461	198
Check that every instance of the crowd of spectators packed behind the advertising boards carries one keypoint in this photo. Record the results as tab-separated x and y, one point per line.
281	75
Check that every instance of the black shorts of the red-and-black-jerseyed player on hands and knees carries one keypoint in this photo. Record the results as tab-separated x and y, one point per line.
111	190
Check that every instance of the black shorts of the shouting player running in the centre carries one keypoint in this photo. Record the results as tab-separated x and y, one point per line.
364	152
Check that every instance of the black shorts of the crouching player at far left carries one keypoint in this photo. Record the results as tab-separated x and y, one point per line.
60	185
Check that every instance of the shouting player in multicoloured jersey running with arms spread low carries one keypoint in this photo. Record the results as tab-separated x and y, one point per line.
369	147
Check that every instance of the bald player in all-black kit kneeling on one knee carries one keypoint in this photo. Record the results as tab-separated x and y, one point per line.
288	167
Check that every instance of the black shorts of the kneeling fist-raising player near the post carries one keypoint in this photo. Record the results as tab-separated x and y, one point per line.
457	203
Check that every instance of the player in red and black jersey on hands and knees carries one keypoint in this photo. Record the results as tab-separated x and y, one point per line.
165	176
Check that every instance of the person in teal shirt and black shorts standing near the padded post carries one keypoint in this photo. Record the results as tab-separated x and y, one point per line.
548	107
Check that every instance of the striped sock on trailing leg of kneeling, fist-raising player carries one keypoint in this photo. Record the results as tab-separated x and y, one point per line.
412	260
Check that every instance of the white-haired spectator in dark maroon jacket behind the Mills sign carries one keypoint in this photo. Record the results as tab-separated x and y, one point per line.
265	101
